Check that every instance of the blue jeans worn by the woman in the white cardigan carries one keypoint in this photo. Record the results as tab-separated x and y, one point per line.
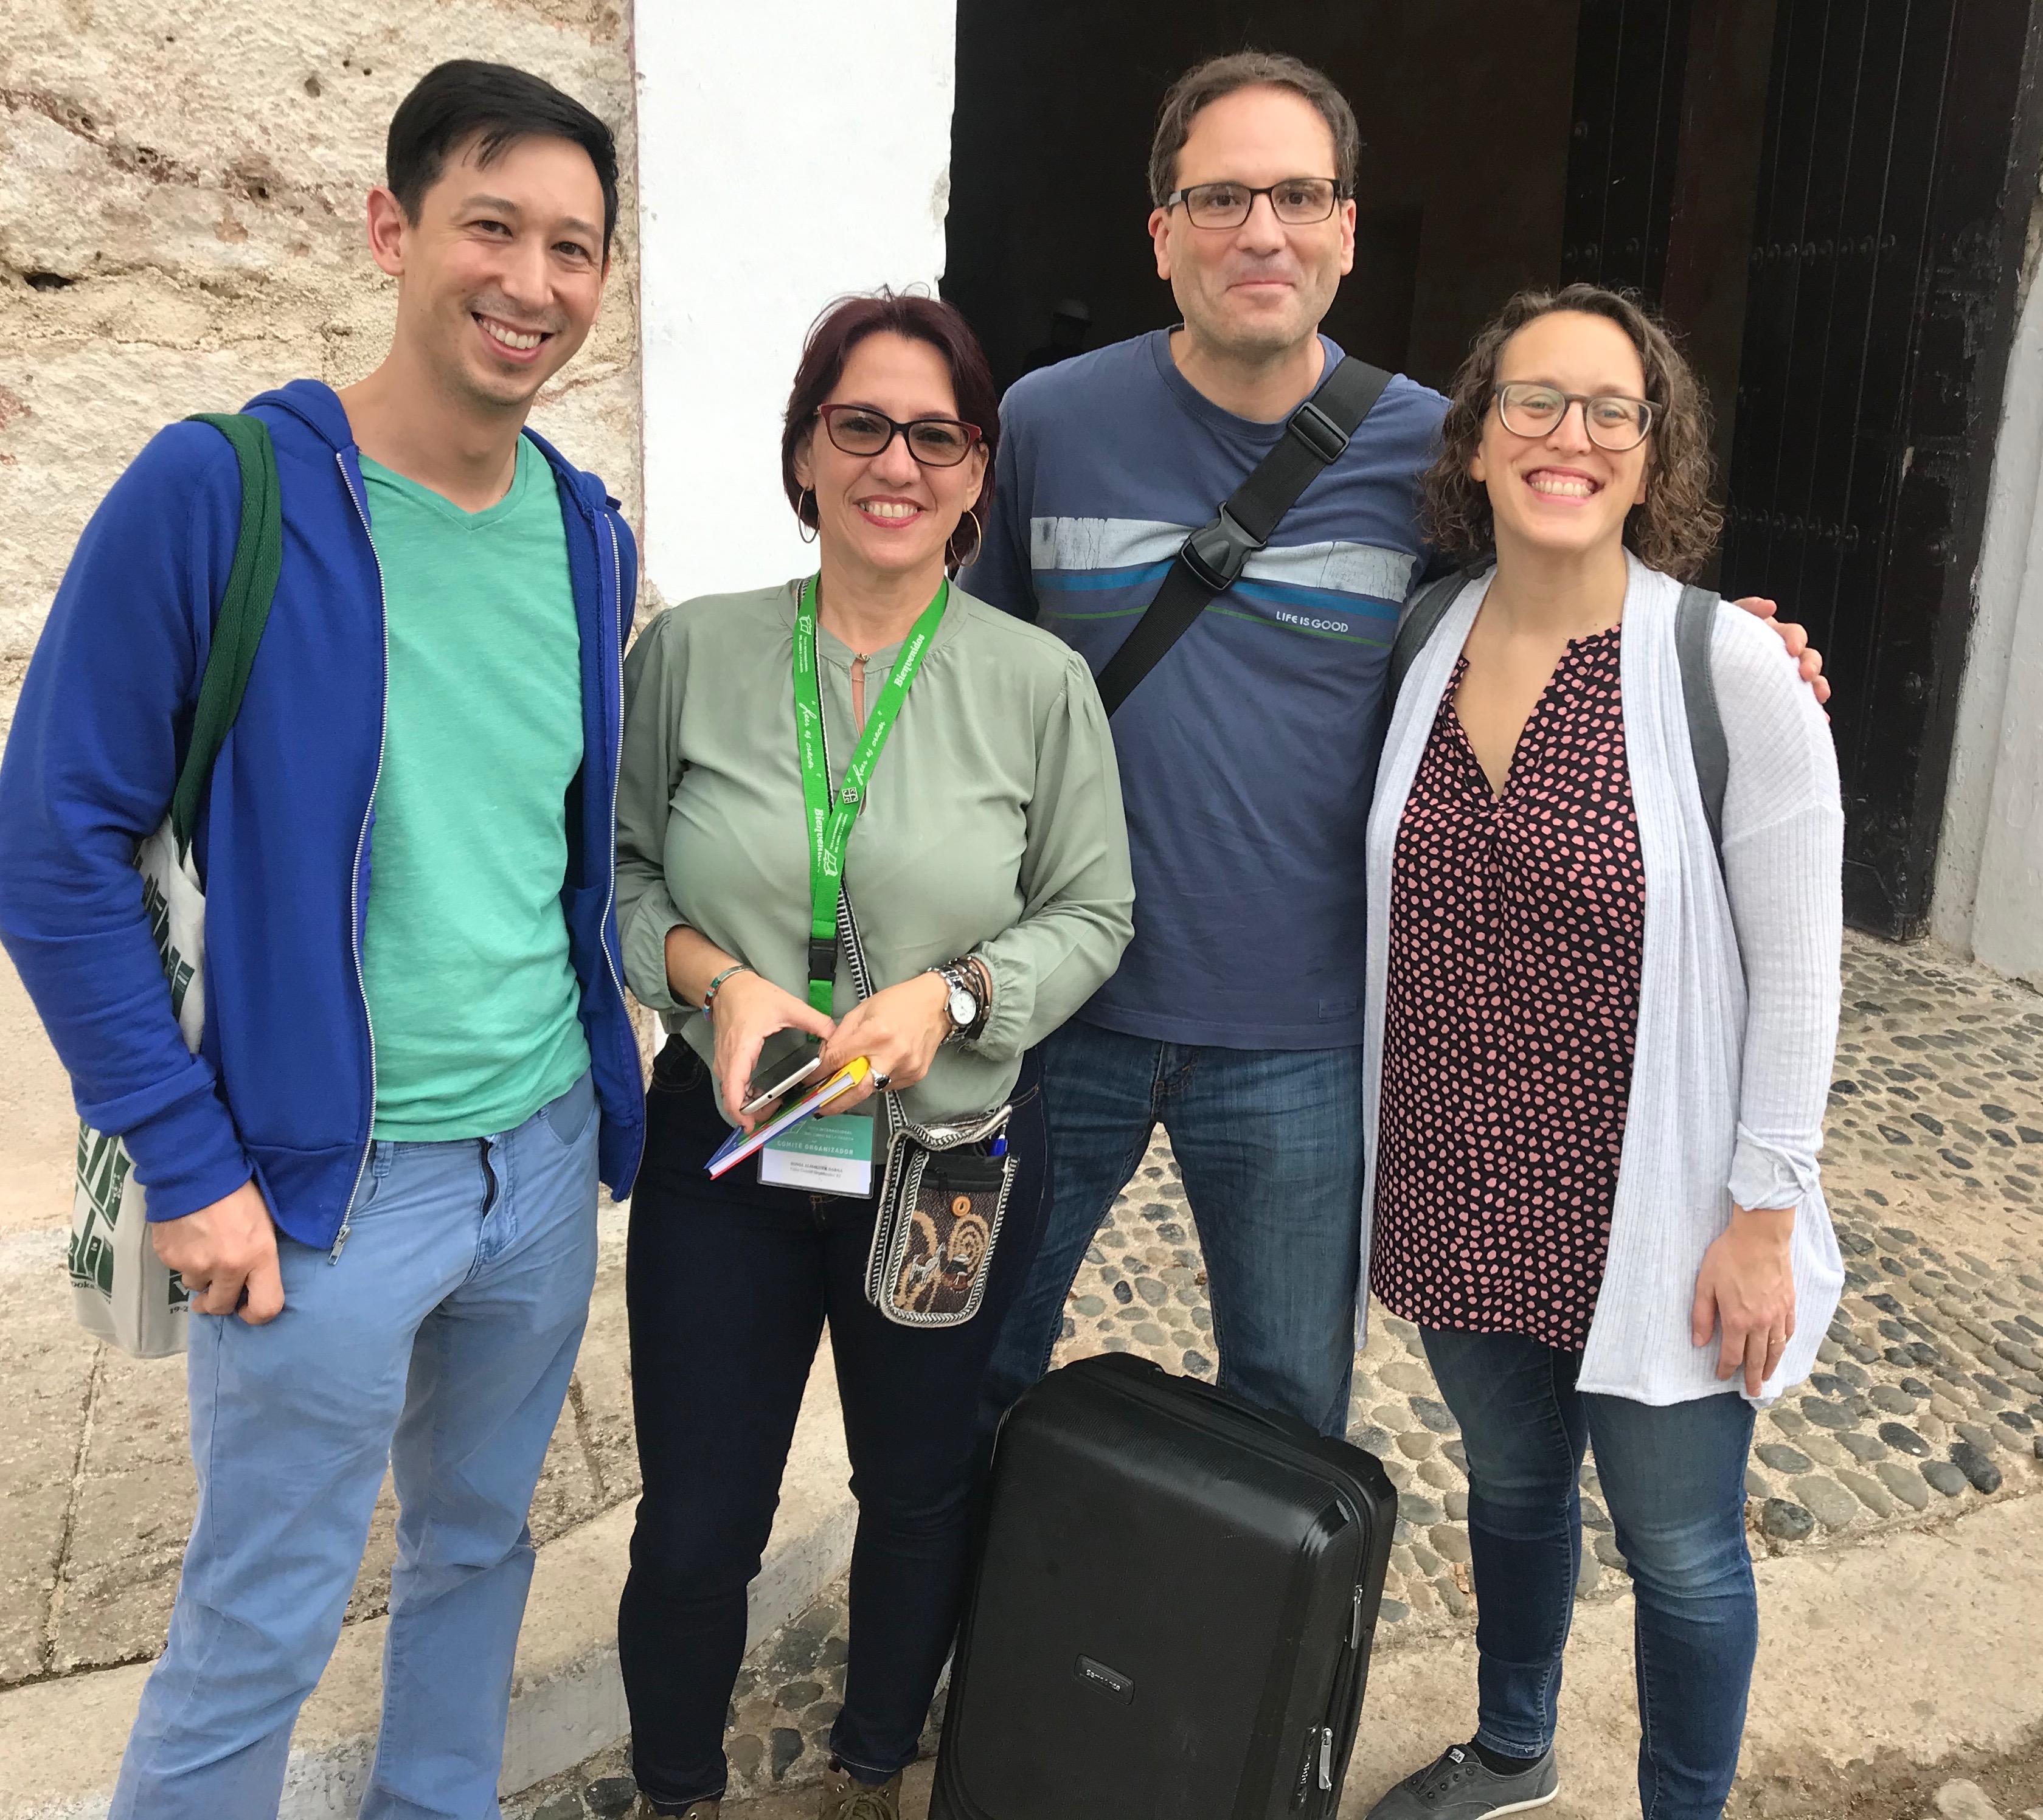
1674	1480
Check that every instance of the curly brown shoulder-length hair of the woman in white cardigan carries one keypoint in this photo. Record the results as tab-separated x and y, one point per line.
1676	528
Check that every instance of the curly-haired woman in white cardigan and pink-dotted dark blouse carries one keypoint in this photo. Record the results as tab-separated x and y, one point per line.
1599	1045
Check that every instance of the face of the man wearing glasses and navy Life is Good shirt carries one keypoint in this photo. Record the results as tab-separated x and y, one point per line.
1257	289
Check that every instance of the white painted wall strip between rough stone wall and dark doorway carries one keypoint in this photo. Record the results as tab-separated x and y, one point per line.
790	152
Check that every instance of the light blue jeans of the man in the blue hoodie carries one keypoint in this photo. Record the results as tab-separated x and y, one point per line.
440	1341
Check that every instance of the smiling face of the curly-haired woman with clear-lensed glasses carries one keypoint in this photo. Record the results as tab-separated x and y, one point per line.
1562	491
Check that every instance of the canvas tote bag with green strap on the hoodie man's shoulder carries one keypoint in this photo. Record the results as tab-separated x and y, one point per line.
120	1288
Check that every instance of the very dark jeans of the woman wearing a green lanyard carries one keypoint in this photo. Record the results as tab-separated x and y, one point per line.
728	1286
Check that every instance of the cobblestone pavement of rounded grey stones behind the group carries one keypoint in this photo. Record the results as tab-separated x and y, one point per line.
1928	1398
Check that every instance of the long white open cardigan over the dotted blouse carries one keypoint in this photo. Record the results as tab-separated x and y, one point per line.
1738	1000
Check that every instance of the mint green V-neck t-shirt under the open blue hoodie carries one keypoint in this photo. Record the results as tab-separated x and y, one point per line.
473	996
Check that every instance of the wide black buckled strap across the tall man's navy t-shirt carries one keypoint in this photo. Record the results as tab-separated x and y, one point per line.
1217	555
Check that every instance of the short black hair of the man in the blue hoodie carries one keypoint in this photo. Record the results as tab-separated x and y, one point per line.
497	107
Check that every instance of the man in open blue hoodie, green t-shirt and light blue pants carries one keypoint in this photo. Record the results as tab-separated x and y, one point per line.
379	1174
